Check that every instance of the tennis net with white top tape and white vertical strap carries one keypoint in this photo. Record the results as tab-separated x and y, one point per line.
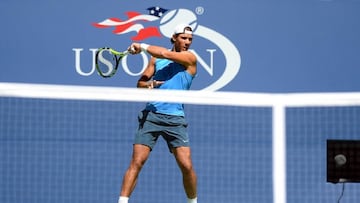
73	143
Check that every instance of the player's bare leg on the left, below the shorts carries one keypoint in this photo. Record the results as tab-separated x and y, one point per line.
139	157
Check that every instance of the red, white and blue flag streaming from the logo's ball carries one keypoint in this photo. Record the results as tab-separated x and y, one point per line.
134	23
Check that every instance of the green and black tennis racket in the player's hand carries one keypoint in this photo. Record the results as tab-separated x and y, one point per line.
107	61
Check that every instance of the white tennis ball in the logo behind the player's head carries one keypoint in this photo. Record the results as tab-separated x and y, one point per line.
174	17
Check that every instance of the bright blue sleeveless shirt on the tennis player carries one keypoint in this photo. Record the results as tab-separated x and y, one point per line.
175	77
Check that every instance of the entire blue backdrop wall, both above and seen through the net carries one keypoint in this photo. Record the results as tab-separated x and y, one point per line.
63	151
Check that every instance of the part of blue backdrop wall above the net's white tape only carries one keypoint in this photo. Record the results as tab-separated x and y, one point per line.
262	46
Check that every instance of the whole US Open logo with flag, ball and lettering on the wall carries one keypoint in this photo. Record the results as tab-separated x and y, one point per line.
167	19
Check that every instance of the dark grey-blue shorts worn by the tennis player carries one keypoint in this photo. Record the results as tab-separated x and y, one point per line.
152	125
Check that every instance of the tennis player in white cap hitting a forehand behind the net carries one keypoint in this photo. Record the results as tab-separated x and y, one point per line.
172	69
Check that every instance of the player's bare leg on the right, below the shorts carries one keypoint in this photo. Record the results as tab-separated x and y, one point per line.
183	158
